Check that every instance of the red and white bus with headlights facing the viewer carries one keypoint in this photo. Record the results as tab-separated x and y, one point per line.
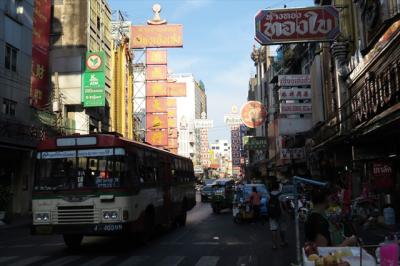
104	184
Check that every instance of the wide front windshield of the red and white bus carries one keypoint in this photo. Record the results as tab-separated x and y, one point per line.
80	173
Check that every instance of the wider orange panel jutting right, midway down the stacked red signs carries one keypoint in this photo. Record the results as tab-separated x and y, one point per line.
166	89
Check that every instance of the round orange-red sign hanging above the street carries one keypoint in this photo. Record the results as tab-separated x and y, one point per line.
253	114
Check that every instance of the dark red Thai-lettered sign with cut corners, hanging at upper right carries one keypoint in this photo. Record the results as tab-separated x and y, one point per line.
297	25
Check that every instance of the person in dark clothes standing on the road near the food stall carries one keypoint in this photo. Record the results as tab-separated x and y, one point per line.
277	217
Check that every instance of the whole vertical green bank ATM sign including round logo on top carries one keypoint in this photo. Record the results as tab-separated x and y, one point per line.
94	80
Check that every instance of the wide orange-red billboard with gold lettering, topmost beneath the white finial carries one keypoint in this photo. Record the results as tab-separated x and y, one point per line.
156	36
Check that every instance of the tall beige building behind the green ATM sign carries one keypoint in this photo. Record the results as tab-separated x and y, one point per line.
79	27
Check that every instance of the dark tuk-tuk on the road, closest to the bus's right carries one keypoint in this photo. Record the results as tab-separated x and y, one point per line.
223	194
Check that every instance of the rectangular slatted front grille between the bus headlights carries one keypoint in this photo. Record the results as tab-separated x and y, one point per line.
75	215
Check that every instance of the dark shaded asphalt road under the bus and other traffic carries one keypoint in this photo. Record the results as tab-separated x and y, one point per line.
207	240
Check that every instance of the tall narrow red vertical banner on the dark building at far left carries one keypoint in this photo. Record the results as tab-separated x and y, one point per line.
40	53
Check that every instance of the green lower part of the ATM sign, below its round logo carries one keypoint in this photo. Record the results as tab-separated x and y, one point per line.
93	89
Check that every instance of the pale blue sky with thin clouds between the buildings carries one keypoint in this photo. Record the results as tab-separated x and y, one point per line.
218	39
